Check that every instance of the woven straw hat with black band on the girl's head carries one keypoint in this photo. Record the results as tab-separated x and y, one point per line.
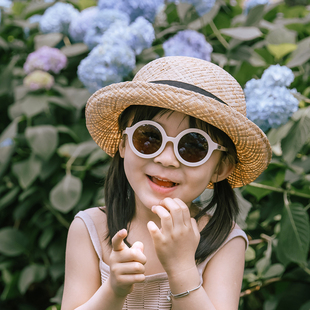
191	86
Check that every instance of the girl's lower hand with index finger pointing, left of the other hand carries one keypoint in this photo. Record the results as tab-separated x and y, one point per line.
126	264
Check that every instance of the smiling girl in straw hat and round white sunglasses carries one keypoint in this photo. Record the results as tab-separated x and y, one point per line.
176	129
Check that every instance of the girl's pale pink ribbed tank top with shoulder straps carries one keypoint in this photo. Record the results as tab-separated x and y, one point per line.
152	293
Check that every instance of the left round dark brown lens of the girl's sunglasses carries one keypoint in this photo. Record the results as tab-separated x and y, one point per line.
147	139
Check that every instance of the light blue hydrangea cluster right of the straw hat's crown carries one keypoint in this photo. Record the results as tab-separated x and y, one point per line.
269	102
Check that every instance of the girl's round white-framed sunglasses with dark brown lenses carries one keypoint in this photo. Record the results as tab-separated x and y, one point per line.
192	147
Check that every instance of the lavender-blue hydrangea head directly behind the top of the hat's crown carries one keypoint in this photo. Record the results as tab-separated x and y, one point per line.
188	43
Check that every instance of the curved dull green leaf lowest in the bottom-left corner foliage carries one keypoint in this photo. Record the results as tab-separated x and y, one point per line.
29	275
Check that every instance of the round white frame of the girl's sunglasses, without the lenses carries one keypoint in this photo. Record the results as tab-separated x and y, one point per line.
165	138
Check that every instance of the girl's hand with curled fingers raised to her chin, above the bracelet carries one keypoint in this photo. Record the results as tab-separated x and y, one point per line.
177	239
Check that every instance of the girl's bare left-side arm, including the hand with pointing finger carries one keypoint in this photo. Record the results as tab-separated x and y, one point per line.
83	289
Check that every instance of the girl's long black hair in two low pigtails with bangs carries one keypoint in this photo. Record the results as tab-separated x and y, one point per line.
120	198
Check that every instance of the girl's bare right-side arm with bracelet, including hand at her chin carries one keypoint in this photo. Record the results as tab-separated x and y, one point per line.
176	243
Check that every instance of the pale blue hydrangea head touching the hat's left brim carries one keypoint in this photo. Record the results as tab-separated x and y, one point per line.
106	64
